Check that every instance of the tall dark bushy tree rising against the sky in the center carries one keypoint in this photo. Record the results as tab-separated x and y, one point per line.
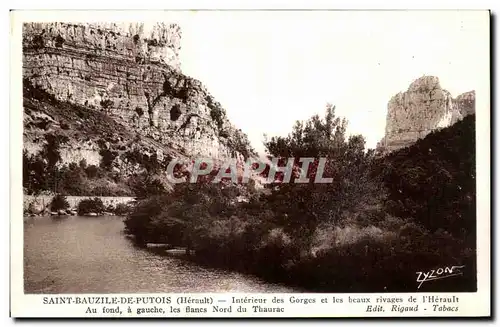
302	207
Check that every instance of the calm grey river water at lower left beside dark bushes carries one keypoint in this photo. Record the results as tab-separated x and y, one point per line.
91	255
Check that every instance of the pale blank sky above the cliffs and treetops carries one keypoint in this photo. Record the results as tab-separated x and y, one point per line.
269	69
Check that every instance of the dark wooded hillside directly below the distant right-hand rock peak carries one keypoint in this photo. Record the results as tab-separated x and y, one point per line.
433	180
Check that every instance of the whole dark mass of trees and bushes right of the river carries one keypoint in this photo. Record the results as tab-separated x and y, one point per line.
373	228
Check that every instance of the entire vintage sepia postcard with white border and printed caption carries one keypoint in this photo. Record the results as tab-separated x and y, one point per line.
187	163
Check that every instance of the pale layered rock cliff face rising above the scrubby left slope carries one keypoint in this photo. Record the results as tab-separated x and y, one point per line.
135	78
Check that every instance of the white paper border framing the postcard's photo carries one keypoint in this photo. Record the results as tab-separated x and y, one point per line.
22	305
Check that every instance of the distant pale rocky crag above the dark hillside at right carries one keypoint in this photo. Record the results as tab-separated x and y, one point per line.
424	107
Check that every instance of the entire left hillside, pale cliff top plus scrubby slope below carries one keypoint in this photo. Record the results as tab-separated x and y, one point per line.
114	98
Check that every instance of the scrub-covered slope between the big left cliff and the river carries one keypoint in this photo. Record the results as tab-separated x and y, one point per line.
129	164
